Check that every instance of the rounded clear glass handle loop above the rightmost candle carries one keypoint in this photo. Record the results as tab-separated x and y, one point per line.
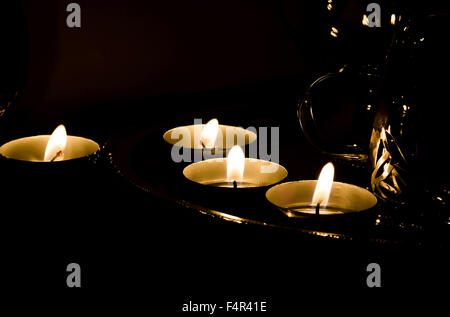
336	115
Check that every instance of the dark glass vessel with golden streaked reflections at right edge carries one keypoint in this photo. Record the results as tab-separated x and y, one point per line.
407	151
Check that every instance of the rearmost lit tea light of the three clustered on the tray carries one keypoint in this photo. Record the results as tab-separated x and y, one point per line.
210	135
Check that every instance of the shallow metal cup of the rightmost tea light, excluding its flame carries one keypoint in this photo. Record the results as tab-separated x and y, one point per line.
294	199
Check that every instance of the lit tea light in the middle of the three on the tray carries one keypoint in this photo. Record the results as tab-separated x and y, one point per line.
235	171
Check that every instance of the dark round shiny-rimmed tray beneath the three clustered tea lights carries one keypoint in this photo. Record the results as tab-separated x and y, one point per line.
142	157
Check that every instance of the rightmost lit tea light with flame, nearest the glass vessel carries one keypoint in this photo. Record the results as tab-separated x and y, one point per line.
322	197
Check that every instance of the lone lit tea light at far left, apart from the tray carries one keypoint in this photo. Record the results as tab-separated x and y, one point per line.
49	148
